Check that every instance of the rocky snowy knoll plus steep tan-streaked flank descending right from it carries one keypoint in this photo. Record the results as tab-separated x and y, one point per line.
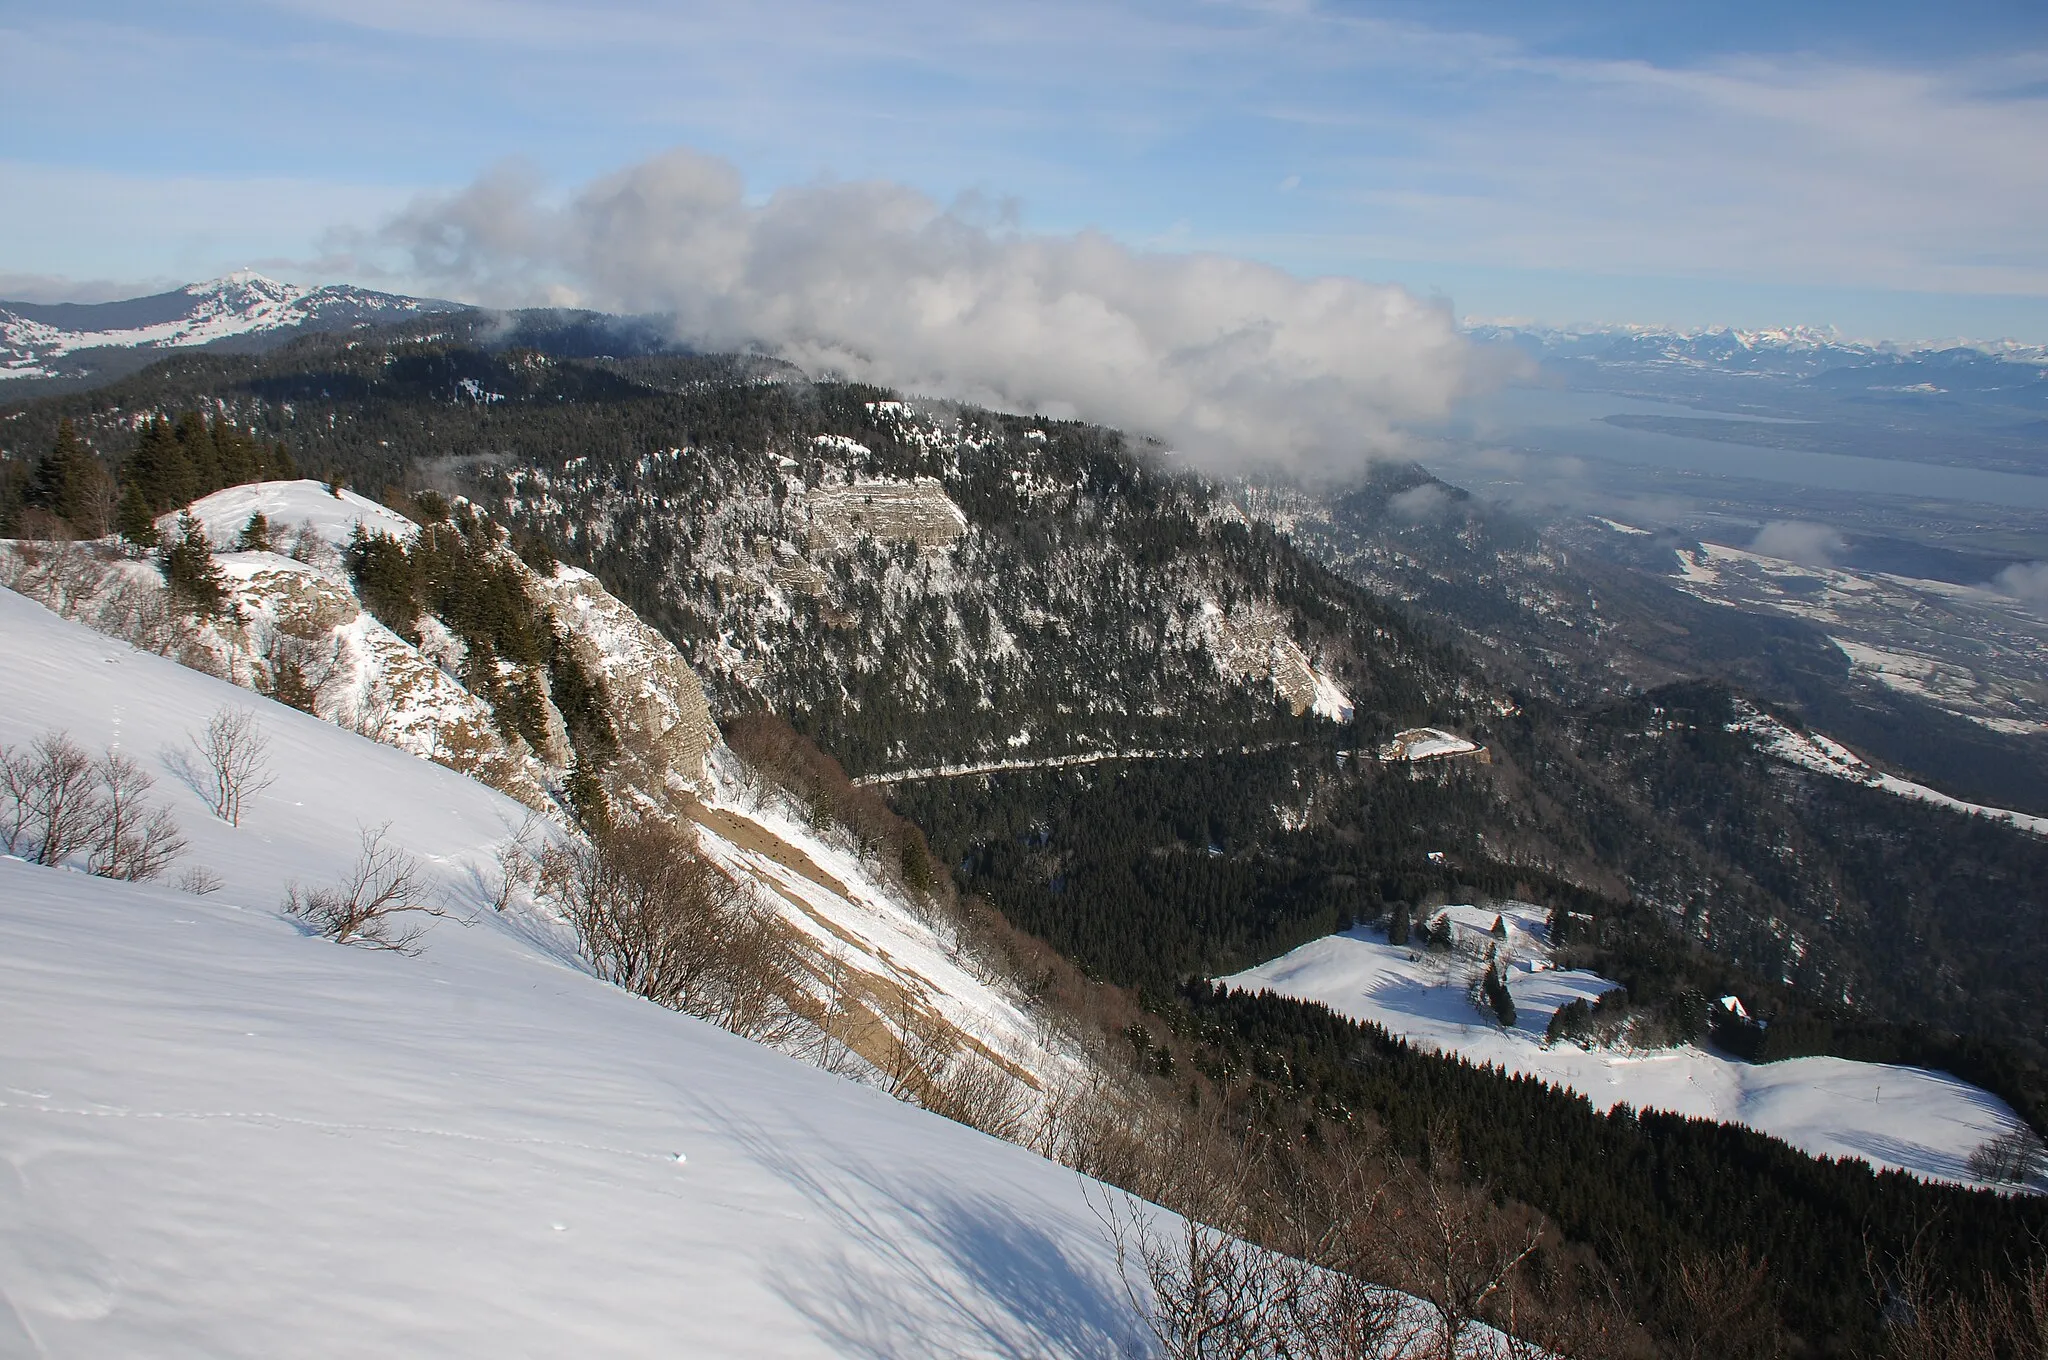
888	958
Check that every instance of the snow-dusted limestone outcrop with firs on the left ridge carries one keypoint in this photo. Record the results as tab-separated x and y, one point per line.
296	630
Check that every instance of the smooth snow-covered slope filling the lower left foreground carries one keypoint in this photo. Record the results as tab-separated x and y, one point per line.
224	1138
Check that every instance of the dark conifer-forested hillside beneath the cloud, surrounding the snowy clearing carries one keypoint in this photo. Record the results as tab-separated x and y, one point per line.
921	587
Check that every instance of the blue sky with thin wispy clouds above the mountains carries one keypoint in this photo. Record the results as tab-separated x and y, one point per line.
1877	167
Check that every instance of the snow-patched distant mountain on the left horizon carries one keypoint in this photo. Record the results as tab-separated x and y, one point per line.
71	341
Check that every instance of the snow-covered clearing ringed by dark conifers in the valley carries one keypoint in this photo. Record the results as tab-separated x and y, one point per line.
1893	1117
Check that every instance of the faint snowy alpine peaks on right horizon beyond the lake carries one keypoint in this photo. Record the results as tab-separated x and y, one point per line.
1791	351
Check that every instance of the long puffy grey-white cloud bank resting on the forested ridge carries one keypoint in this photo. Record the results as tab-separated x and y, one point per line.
1230	362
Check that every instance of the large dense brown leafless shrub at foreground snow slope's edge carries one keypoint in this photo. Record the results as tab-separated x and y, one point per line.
656	919
